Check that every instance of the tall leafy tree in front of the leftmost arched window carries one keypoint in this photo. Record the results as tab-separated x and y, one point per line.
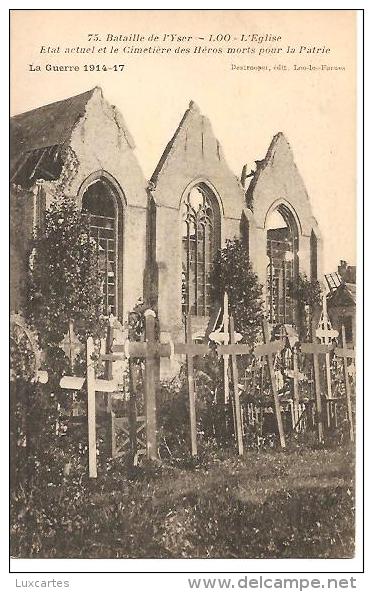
65	280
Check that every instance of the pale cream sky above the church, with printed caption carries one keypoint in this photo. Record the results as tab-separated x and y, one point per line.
314	108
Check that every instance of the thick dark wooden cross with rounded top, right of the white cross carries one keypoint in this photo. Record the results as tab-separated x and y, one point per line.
150	350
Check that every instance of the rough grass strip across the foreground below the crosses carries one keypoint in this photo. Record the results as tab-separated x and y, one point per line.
268	504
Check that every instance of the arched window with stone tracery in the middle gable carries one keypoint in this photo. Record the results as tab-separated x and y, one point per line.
200	240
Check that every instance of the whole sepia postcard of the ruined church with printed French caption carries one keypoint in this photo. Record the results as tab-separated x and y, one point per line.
184	289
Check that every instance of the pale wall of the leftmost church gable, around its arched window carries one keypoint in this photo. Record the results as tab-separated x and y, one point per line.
101	145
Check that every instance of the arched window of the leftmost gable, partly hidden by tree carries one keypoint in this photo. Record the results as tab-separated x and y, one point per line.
102	204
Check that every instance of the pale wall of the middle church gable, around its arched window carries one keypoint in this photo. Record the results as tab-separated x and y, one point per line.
194	157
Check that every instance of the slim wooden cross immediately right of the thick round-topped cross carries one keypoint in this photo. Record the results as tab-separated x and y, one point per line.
191	349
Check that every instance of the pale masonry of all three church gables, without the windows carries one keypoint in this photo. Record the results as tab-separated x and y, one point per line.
100	145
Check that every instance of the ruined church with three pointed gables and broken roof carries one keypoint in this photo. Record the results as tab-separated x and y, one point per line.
160	236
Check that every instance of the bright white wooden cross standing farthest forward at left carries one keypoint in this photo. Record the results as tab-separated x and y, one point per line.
94	385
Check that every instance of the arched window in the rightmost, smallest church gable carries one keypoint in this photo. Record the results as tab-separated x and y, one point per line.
282	268
